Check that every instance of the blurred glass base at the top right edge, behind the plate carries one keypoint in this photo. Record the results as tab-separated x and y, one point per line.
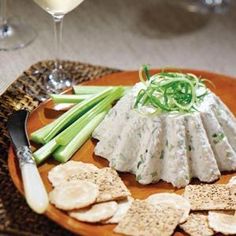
206	6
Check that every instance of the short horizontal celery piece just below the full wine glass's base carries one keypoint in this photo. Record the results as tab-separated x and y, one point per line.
68	98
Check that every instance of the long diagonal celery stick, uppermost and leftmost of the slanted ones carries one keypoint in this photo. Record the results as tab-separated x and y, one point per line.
46	133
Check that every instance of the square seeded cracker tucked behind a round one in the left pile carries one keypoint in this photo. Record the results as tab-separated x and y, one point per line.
111	187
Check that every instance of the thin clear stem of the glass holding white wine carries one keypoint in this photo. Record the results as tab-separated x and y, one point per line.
58	22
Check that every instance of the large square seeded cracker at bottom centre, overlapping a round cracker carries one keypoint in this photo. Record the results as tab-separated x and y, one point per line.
144	219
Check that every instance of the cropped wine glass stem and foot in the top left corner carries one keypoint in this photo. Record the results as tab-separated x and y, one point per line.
13	33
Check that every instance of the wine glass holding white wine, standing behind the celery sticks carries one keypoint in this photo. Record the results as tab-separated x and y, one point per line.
58	79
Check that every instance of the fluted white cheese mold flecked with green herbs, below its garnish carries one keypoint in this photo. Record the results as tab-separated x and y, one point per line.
174	147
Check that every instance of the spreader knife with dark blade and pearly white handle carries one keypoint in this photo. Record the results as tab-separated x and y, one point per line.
35	192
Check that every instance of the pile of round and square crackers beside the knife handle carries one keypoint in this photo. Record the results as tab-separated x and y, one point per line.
89	194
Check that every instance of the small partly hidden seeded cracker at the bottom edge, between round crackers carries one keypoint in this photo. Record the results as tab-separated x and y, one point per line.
197	225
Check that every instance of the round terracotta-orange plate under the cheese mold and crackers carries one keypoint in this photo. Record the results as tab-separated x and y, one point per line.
225	88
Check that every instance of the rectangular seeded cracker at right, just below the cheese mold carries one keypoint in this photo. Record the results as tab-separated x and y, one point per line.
209	197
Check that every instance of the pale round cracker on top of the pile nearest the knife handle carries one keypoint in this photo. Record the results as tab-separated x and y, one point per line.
74	195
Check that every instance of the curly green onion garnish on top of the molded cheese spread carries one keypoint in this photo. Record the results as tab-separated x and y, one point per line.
170	91
